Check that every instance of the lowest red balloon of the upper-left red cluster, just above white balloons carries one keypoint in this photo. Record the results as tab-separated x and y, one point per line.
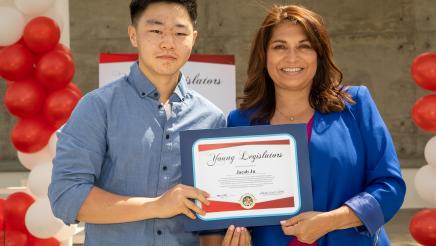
31	134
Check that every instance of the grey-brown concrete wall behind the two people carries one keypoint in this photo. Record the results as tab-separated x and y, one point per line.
374	43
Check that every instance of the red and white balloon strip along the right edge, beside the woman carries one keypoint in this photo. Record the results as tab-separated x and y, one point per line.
423	224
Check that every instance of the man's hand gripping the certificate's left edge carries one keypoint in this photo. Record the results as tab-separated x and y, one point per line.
176	201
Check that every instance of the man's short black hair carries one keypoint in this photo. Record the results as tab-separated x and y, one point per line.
137	7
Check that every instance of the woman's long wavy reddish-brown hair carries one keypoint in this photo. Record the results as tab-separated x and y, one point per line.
326	94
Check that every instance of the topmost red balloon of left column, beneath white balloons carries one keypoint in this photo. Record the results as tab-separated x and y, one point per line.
41	34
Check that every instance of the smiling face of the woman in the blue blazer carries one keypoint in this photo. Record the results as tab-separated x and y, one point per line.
291	60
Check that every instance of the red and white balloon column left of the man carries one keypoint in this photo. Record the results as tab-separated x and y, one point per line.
38	71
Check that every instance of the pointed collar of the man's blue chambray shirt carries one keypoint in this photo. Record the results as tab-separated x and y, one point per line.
145	88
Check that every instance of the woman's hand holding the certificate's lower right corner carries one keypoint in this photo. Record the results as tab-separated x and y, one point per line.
307	227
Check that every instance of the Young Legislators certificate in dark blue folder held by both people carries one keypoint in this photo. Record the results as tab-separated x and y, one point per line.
255	175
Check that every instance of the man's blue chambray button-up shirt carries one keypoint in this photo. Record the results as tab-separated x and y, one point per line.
119	139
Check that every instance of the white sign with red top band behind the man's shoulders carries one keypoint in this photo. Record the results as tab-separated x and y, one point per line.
213	76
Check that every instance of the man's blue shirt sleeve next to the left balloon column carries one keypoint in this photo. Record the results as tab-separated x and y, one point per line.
80	153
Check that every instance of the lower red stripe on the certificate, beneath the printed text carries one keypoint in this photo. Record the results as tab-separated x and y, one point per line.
218	206
